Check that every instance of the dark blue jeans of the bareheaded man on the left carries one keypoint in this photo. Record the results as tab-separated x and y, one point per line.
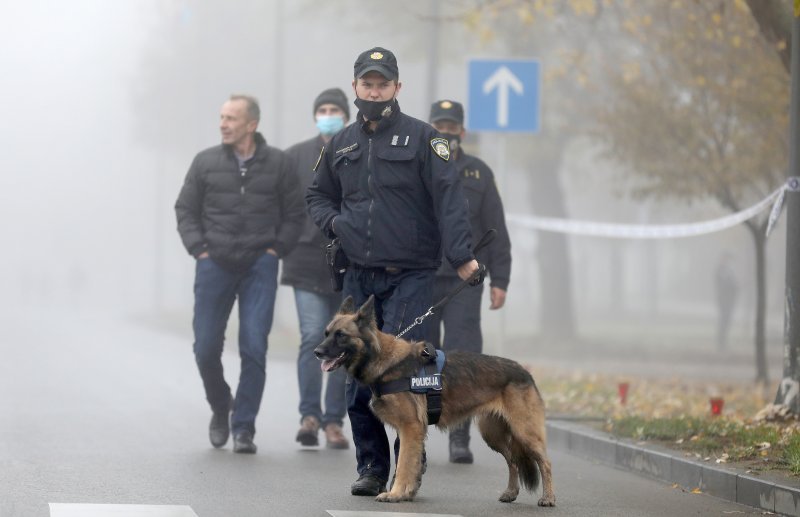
215	290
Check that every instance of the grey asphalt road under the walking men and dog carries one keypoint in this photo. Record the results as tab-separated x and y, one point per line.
98	410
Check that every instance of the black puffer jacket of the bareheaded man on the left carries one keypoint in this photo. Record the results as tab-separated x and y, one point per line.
237	214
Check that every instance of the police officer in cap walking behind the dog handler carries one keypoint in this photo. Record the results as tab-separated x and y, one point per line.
461	316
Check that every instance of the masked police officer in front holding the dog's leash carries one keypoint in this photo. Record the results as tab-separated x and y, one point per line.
386	187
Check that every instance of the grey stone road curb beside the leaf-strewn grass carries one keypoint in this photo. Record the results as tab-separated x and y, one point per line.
650	460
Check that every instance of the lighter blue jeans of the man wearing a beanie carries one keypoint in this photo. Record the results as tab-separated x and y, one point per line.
315	311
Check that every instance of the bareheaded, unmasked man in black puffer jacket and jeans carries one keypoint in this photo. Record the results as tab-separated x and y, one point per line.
240	209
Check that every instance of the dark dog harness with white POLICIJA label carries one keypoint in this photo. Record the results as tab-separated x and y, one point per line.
428	381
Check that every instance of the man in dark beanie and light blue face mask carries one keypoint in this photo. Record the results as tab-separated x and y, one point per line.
306	271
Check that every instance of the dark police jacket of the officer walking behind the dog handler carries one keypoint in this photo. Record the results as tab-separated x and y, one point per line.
485	212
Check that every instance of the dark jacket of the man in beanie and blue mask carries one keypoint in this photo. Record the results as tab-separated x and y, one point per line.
304	267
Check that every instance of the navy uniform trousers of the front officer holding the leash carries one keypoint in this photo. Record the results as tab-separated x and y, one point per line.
399	299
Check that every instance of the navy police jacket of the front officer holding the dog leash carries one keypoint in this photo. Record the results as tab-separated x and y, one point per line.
392	199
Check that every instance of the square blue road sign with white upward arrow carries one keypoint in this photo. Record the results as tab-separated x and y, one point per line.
503	95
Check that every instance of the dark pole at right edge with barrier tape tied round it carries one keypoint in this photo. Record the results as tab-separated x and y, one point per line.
789	389
